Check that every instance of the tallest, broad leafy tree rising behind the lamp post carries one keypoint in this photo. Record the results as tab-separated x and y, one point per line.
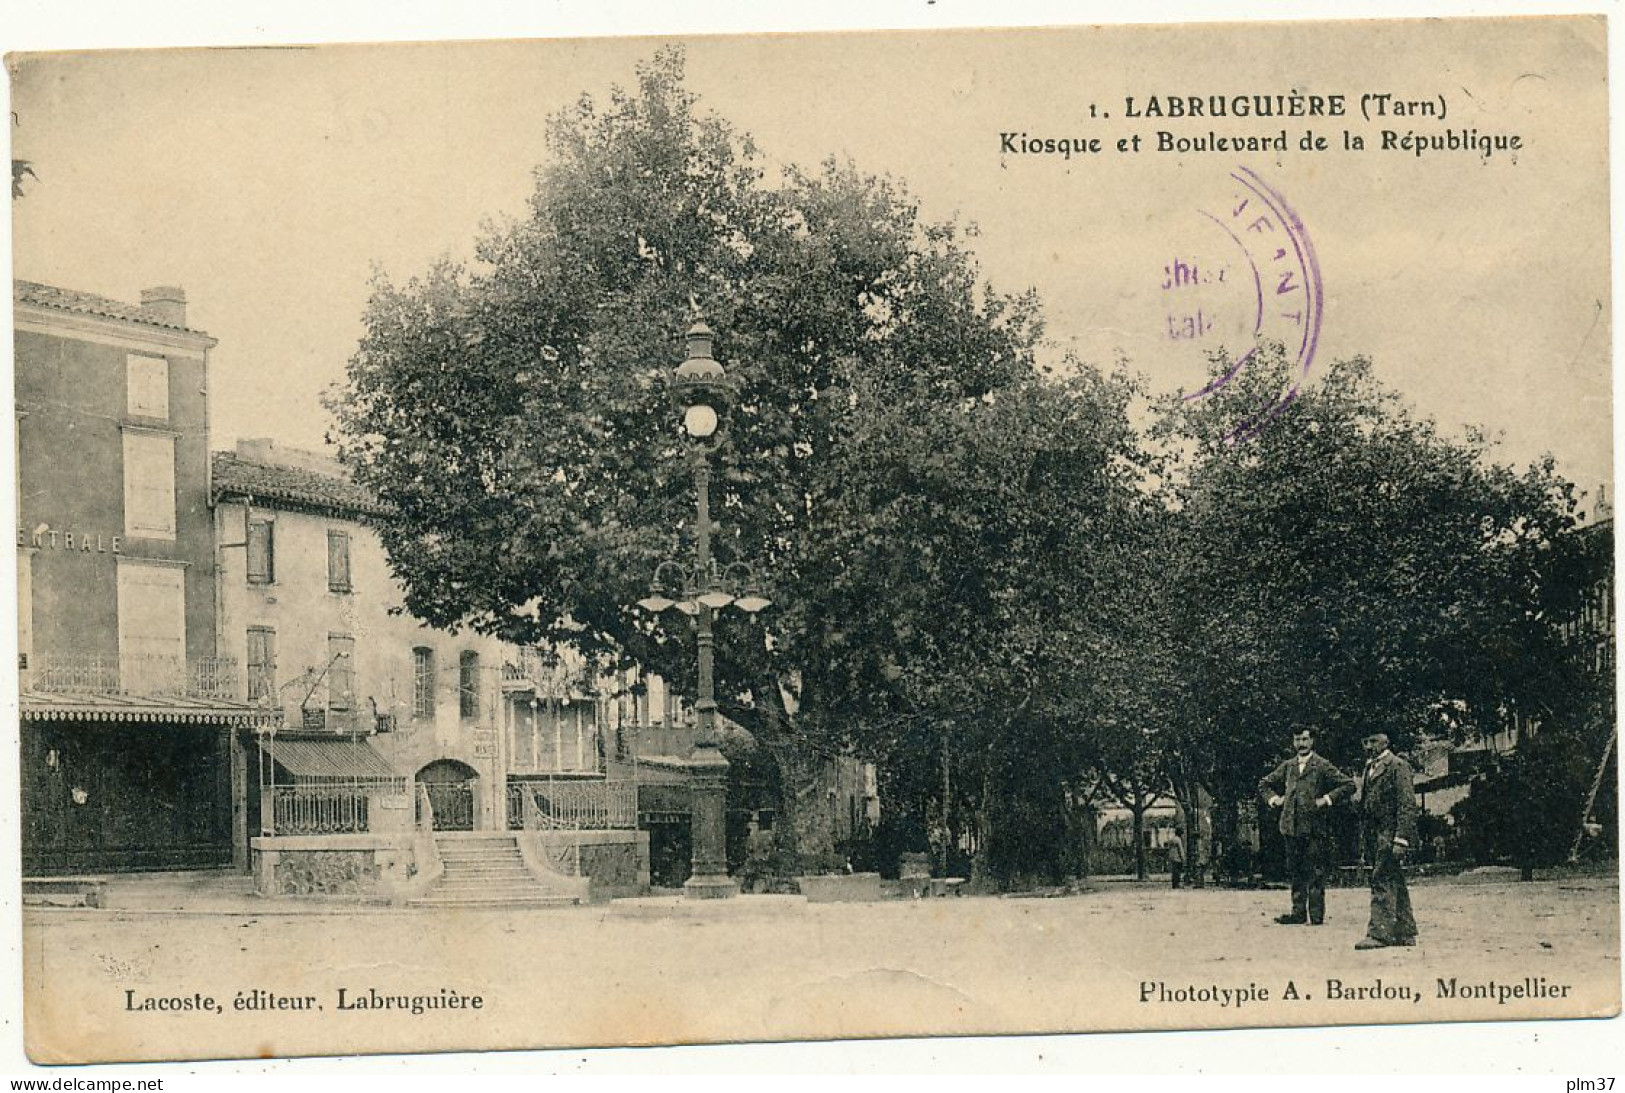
895	465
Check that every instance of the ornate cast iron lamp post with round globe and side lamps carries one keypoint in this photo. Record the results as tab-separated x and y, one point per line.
703	391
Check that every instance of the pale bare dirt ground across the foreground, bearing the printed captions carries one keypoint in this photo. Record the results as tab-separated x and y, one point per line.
128	985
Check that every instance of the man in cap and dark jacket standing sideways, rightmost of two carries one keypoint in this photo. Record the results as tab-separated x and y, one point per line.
1389	808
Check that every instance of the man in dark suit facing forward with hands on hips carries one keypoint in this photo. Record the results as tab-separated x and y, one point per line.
1306	788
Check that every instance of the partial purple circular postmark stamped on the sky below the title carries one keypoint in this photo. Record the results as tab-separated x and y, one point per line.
1252	279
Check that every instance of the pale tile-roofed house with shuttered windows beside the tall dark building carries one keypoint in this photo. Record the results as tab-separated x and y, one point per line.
310	605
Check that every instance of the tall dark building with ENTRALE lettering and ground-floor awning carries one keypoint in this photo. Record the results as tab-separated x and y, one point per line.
129	709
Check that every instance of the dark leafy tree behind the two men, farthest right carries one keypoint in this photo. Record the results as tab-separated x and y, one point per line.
1353	568
